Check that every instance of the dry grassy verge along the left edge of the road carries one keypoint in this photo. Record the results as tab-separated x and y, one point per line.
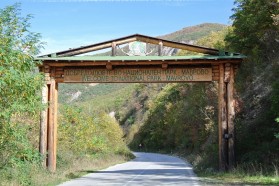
69	167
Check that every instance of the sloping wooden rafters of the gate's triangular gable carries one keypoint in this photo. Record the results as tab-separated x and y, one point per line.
136	37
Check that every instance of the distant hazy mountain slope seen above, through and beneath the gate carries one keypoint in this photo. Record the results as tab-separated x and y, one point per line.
84	92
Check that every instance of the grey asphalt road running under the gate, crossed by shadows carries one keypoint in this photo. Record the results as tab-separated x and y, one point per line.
146	169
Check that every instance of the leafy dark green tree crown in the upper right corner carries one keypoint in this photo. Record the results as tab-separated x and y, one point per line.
255	24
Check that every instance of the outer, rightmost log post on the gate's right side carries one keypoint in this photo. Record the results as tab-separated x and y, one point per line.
231	115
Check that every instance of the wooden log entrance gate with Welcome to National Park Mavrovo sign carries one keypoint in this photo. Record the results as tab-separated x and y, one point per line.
212	65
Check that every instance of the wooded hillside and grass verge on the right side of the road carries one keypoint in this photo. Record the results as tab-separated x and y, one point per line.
182	118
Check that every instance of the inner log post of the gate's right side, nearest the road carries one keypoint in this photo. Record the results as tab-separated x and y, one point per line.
222	121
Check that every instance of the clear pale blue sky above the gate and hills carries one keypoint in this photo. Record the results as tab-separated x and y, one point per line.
66	24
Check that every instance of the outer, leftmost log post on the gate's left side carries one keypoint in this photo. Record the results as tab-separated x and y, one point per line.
43	124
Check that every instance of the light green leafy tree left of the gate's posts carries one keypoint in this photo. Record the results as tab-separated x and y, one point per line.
19	85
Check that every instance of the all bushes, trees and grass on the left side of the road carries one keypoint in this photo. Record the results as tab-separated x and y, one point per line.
86	142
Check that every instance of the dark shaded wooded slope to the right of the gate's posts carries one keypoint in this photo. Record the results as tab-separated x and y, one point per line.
255	33
